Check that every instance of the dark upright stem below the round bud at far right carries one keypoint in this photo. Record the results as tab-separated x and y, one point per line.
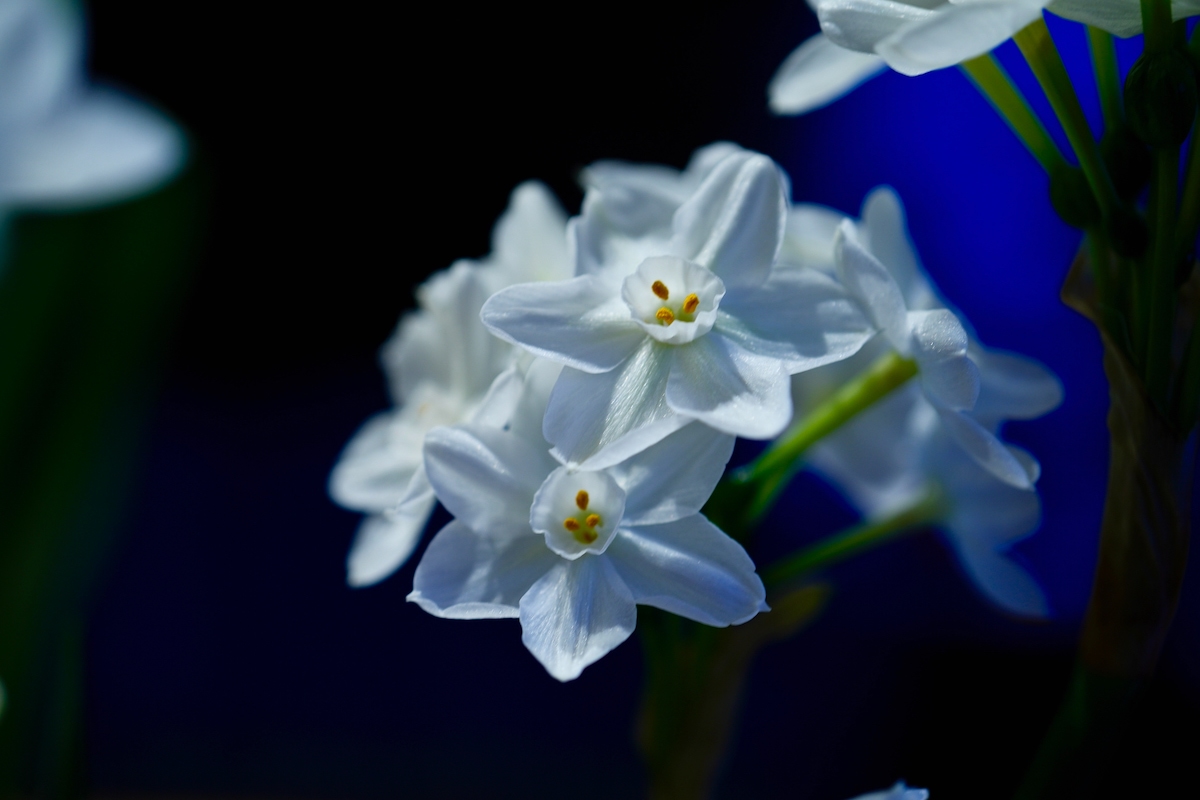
1162	280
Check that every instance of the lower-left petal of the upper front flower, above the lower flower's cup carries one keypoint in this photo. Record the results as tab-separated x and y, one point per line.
599	420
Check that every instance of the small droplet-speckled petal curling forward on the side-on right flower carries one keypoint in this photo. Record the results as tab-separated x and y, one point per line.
940	347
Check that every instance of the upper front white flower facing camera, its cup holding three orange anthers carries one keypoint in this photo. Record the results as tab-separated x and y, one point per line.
689	323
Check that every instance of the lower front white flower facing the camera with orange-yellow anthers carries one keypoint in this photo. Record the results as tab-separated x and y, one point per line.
572	551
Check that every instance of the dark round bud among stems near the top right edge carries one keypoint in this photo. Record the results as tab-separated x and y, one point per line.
1161	98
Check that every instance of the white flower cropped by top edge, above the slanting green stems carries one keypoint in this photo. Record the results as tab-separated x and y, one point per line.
860	38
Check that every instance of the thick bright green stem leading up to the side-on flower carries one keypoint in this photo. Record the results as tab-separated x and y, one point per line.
772	471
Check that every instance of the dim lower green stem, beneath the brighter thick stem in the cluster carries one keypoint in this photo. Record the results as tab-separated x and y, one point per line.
853	542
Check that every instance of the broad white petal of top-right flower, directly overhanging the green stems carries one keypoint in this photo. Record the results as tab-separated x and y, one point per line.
956	33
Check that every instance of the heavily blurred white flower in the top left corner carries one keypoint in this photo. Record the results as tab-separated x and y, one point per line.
65	143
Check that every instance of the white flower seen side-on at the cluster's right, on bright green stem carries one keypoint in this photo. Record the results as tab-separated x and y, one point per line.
880	267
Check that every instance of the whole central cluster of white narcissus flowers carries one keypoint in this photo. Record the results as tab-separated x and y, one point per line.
681	310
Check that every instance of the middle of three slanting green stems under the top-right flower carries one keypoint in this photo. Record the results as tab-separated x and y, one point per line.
1037	46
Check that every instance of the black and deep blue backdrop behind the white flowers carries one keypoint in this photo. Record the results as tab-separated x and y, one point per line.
351	151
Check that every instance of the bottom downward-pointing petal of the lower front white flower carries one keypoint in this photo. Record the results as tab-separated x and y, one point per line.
575	615
